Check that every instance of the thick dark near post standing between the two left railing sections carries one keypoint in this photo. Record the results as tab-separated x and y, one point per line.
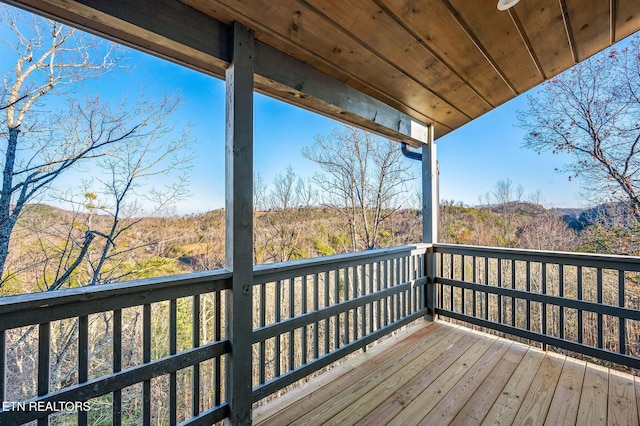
239	224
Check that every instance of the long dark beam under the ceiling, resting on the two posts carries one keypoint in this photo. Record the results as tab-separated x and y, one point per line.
181	34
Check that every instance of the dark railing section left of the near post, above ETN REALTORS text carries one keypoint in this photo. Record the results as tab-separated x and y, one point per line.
116	347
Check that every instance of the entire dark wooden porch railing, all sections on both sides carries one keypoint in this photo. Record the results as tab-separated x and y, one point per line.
155	351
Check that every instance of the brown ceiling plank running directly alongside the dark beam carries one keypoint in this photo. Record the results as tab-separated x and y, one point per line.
294	28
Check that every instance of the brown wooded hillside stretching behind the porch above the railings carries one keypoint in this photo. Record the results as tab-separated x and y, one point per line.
48	239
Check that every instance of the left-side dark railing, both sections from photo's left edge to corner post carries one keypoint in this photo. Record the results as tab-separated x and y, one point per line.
155	351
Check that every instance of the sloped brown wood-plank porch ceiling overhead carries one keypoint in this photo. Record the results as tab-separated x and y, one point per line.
444	62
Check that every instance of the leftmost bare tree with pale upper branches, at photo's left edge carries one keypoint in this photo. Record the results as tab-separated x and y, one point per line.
49	57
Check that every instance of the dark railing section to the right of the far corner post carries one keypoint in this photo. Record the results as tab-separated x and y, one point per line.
583	303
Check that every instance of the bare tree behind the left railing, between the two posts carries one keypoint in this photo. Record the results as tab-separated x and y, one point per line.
364	177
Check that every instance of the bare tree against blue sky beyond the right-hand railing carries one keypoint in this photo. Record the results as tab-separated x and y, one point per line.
591	112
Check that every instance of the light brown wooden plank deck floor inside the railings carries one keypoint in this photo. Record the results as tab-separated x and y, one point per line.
440	374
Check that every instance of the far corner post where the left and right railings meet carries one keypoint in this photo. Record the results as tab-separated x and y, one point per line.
430	205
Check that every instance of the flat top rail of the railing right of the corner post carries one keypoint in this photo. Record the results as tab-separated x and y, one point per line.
626	263
